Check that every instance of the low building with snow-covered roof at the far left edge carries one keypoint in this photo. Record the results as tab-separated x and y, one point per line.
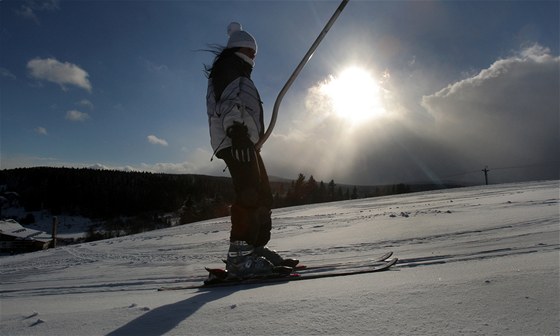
15	238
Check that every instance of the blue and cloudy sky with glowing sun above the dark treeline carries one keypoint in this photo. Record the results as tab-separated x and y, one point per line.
397	92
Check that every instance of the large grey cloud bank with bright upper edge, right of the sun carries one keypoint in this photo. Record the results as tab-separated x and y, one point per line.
507	115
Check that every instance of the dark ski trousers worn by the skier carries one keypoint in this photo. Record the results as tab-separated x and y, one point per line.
251	209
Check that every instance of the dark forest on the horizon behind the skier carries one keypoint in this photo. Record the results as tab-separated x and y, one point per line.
133	202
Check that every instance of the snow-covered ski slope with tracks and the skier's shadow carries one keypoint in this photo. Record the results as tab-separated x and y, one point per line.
474	261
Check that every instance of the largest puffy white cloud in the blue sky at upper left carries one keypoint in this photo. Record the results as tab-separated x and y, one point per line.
52	70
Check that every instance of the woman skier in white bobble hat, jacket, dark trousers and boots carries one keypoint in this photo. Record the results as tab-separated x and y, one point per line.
236	123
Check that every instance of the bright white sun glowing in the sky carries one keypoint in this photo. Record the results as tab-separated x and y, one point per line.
355	96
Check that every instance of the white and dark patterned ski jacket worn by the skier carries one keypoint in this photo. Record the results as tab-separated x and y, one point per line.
238	102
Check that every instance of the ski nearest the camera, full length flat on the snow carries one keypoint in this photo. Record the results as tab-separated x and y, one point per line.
378	267
